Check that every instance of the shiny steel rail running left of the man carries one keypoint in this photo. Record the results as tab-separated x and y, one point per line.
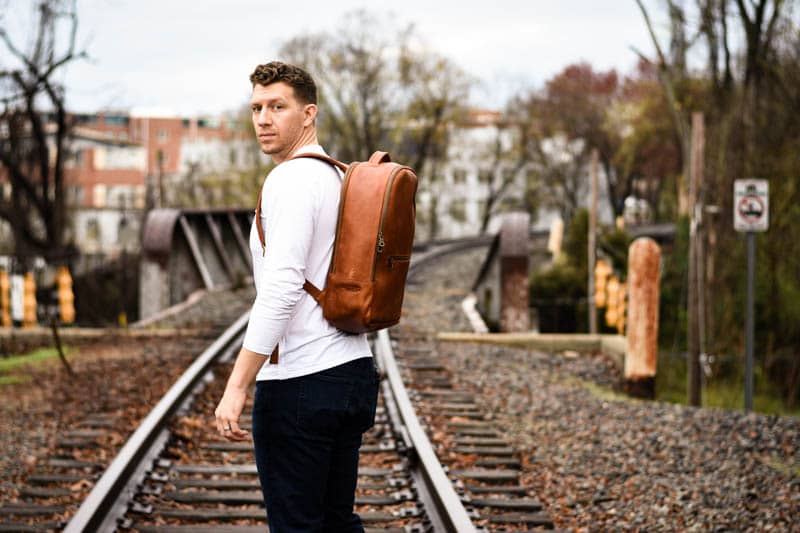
106	503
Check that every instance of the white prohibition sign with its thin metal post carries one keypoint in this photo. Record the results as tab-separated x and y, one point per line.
750	214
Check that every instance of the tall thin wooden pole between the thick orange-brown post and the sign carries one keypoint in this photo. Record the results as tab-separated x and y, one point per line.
695	235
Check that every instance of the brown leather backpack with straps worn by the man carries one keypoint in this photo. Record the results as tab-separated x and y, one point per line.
372	248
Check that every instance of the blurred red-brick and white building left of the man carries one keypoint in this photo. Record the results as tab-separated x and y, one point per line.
117	158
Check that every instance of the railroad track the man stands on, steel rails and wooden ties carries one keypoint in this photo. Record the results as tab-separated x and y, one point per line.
447	470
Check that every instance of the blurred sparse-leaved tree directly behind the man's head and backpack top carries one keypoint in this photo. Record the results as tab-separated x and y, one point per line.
380	89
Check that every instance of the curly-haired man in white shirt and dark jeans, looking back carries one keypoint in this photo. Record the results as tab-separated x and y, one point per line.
311	408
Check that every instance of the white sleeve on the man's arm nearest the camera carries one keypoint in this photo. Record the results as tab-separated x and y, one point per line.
288	216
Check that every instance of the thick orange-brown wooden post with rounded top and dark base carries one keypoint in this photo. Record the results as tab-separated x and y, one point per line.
644	258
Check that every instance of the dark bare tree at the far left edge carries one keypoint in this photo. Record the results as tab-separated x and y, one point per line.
34	130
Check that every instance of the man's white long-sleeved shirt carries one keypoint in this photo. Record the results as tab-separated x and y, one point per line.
299	210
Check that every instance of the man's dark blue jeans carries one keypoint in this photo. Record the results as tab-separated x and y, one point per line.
307	432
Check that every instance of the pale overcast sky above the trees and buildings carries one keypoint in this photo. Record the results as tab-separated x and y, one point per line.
193	57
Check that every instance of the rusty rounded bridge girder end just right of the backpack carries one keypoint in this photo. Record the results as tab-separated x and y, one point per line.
514	315
